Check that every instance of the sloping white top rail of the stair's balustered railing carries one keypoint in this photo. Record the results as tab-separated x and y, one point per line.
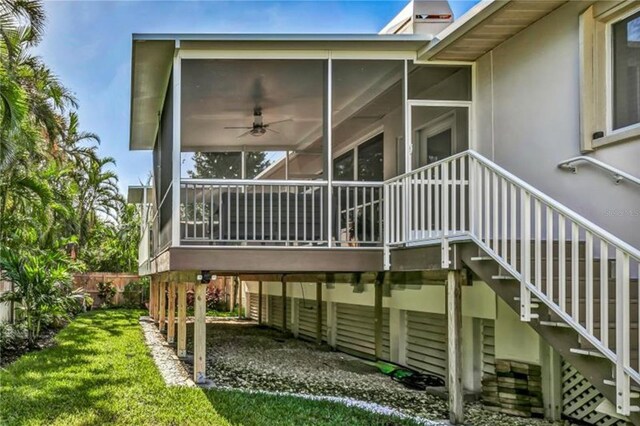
559	207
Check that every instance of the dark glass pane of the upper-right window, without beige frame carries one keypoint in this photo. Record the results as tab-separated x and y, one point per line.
626	72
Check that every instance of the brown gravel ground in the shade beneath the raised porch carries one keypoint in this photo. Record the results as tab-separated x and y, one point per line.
241	355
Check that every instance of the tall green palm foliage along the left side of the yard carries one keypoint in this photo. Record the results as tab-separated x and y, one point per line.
56	193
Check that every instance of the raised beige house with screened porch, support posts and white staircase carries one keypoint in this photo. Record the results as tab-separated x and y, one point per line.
422	207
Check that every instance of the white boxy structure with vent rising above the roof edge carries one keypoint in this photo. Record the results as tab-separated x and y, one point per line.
421	17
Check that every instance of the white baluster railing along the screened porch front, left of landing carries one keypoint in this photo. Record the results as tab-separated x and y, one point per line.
280	213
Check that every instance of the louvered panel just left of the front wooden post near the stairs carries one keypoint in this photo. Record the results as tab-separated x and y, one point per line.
427	342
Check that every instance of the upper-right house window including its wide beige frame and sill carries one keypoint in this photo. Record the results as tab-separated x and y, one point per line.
609	74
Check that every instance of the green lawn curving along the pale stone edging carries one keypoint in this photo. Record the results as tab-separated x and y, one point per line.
101	373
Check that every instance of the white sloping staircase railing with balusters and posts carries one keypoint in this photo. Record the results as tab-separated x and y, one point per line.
621	355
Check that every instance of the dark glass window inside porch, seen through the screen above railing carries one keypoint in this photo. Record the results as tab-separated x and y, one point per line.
365	162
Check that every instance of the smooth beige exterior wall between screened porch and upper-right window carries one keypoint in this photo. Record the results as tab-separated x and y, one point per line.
528	93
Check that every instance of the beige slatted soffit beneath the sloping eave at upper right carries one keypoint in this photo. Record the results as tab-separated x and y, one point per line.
485	27
